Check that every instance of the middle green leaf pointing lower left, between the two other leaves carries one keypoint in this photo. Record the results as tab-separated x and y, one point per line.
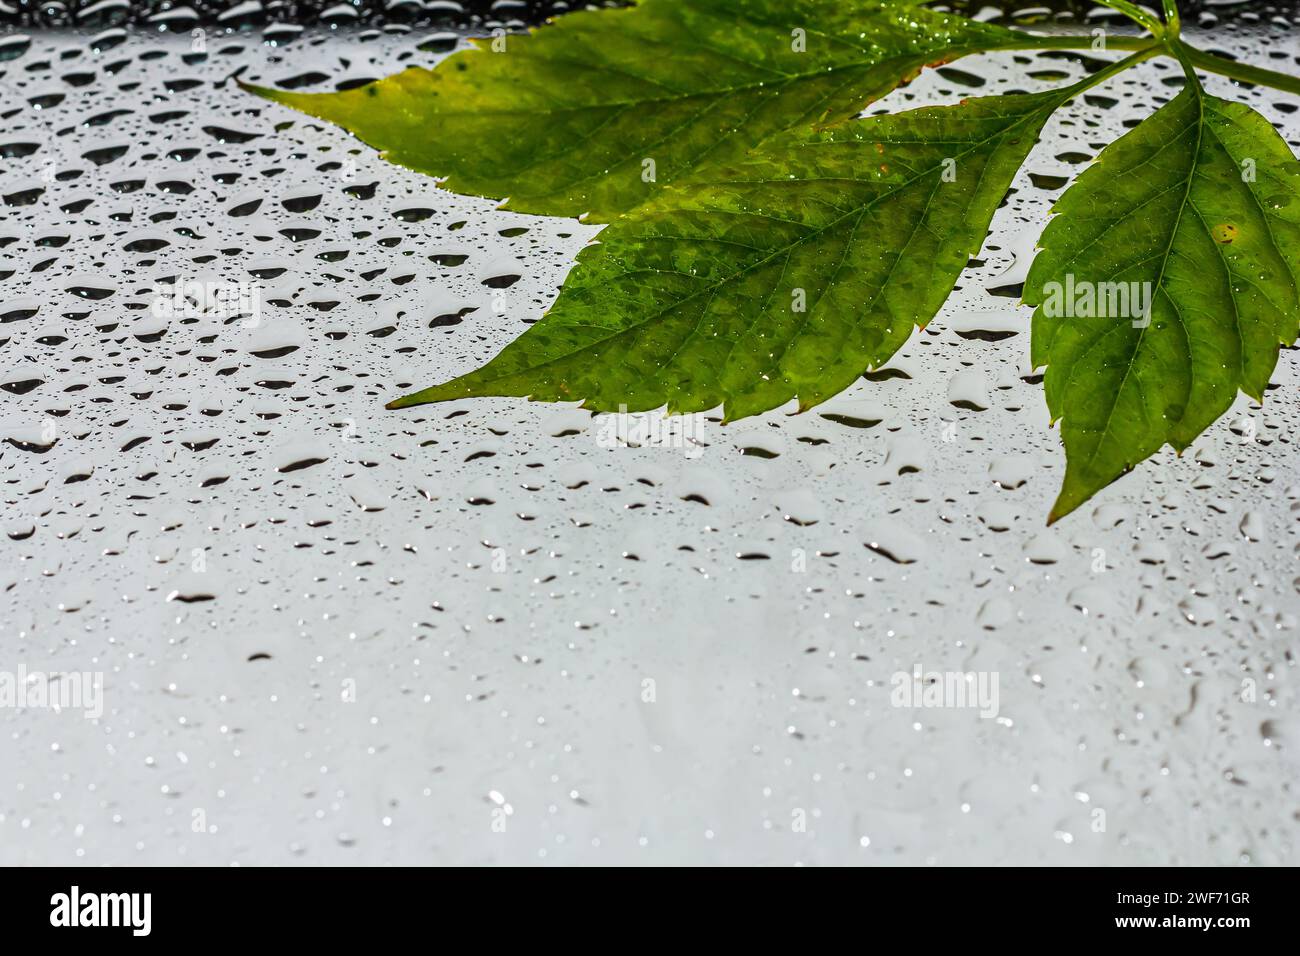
788	275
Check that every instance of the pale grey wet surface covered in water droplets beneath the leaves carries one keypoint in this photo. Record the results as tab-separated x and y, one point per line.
506	633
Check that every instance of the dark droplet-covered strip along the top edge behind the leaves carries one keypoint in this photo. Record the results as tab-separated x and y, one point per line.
242	15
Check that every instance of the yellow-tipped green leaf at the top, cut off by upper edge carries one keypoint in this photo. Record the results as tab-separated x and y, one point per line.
569	119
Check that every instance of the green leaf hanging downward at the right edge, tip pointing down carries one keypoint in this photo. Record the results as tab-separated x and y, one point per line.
1199	202
